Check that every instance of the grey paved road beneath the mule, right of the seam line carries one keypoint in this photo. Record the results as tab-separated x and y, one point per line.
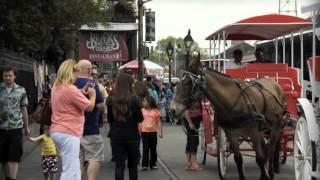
171	151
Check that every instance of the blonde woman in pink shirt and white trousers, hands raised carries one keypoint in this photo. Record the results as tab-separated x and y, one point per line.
68	104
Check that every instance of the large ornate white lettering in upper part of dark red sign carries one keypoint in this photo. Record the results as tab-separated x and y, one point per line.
103	42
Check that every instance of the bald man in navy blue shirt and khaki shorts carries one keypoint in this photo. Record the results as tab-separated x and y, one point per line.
91	144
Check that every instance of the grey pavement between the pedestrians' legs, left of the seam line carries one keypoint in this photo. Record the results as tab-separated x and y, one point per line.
30	167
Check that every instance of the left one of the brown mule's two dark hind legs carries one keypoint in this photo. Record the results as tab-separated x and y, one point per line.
258	144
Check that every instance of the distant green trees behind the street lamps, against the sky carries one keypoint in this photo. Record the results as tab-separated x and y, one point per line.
160	53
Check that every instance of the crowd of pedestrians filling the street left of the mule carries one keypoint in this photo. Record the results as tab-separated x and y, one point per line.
81	103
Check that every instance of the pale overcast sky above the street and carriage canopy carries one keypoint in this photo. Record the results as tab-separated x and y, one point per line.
203	17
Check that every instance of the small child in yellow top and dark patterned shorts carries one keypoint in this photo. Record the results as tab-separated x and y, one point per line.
49	154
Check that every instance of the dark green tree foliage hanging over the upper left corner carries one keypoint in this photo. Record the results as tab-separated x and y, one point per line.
31	25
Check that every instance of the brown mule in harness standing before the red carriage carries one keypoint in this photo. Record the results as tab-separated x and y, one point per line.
244	109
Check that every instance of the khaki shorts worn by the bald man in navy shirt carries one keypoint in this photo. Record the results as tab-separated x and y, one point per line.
92	148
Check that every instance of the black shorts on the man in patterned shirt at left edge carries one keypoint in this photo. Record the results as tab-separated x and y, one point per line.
11	148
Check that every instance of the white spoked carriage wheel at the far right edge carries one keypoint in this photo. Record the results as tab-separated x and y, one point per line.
304	151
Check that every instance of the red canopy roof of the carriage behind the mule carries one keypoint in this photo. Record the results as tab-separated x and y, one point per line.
265	27
